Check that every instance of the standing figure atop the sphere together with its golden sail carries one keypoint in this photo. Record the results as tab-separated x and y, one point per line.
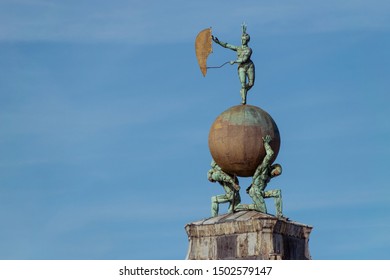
246	67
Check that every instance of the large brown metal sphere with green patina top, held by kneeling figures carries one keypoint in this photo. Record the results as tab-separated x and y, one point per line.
235	139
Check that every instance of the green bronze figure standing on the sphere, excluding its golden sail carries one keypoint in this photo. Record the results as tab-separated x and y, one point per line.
246	67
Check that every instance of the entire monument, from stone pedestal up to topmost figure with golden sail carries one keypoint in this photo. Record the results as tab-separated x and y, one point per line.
244	141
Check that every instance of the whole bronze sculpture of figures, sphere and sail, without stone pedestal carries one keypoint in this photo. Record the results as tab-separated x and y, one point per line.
244	140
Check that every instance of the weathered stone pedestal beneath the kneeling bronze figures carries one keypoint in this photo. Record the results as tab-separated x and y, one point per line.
247	235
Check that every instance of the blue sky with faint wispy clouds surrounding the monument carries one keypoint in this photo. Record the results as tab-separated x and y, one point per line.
104	121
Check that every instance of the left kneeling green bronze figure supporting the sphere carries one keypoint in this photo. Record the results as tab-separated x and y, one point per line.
229	184
